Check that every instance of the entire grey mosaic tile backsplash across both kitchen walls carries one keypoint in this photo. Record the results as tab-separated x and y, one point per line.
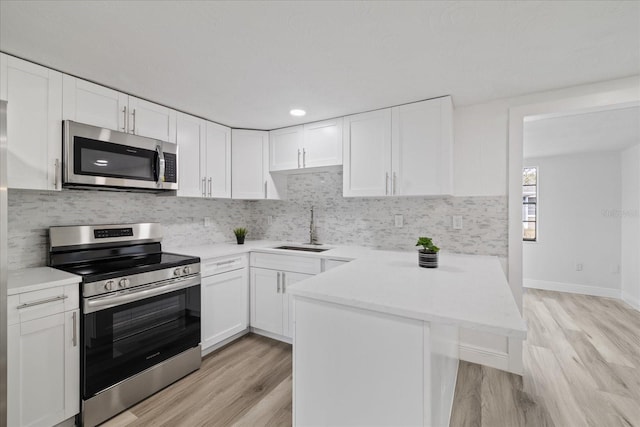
348	221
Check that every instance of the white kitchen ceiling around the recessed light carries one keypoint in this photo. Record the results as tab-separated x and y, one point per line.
246	64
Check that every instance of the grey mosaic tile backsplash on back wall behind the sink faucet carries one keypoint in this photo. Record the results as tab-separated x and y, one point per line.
370	222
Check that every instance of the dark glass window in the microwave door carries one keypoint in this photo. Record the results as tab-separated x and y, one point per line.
99	158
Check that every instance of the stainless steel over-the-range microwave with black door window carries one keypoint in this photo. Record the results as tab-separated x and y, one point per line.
96	157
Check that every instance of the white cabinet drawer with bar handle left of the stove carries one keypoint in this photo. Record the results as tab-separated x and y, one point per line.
45	302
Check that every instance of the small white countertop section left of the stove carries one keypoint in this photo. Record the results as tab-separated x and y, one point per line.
35	279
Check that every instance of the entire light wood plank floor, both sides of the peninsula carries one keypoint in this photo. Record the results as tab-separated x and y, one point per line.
581	359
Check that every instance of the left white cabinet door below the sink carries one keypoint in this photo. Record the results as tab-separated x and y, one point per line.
267	300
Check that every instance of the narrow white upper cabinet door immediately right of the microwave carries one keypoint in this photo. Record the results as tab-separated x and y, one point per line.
190	132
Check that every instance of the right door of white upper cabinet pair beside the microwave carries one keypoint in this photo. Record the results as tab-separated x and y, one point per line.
217	160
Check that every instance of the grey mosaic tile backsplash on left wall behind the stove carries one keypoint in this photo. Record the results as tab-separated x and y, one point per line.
31	213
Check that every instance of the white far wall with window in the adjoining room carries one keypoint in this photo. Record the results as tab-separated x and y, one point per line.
579	197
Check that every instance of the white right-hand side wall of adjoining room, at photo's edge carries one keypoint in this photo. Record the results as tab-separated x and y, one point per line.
630	218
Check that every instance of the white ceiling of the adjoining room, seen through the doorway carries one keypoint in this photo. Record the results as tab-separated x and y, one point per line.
609	130
